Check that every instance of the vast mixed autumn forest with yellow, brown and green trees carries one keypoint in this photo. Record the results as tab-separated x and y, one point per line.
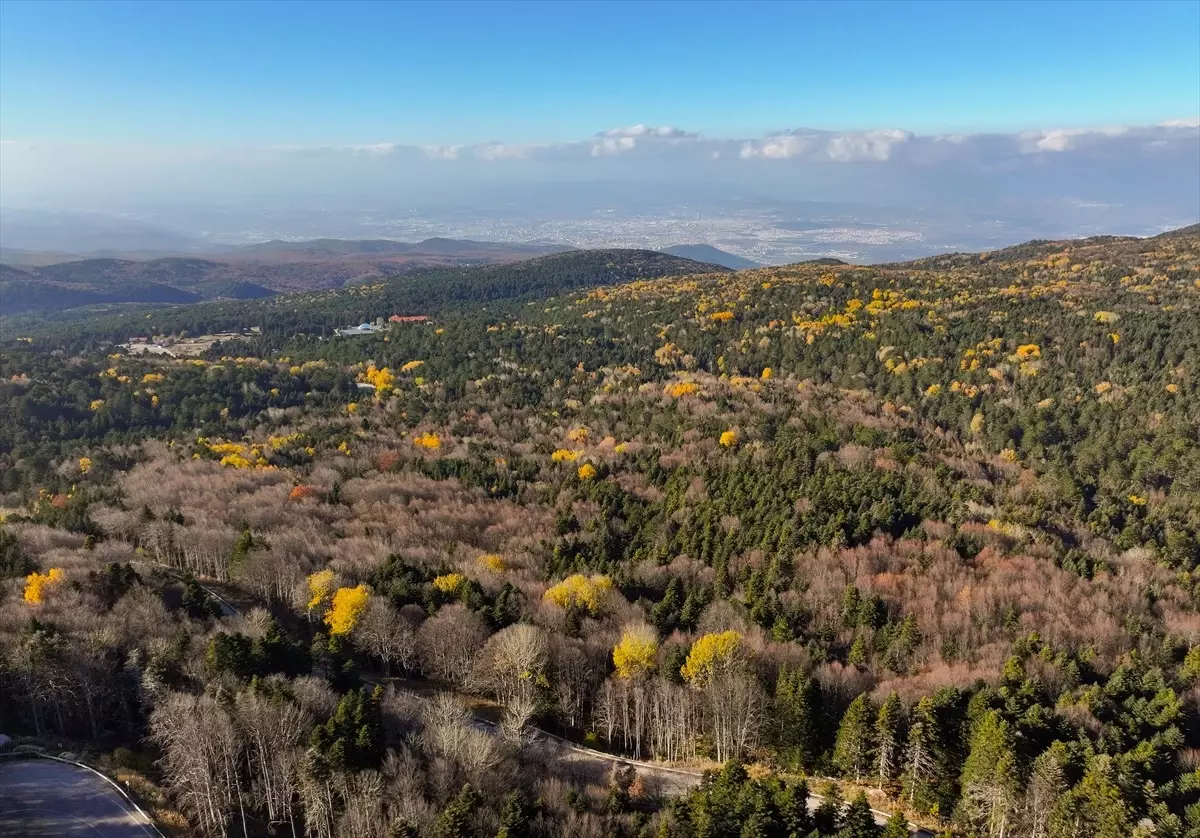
920	538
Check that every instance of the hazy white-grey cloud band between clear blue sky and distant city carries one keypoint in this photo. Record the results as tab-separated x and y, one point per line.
1148	166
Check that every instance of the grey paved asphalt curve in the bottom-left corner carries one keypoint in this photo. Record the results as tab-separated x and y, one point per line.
43	799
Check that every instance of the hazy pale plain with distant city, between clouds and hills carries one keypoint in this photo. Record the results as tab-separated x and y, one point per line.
764	231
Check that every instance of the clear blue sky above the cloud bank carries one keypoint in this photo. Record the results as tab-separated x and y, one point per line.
231	74
